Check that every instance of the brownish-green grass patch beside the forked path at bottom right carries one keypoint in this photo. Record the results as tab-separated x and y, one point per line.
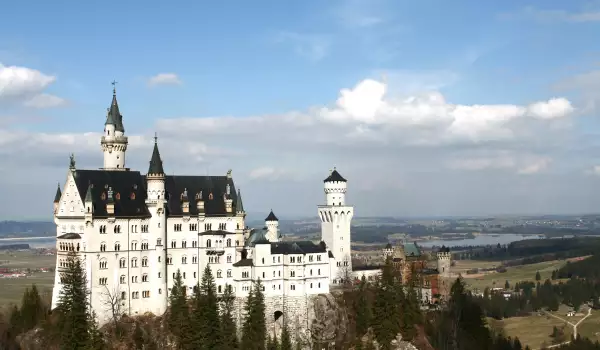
532	330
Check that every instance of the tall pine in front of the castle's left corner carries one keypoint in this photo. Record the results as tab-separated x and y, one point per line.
73	308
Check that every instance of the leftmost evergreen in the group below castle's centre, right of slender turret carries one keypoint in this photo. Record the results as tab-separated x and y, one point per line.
179	315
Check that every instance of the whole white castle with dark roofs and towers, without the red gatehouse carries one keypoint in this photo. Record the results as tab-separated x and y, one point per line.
133	232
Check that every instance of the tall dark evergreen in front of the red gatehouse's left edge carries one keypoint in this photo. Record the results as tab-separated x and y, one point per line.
386	315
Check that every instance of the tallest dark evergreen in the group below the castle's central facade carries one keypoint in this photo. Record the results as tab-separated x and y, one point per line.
205	314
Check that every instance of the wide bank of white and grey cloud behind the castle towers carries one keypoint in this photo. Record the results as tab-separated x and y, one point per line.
412	147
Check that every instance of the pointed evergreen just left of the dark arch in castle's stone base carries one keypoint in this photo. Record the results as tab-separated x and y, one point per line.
254	330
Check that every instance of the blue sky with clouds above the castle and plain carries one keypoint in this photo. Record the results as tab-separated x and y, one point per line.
273	60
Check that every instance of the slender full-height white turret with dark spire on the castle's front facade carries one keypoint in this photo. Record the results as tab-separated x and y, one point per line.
156	232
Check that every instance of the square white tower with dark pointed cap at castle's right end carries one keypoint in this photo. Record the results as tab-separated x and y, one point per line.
336	219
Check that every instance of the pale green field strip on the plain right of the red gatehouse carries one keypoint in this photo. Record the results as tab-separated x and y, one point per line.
513	274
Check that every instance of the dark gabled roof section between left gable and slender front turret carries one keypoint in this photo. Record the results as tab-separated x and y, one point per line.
128	188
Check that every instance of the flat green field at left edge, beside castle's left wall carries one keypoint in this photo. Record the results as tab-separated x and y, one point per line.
11	289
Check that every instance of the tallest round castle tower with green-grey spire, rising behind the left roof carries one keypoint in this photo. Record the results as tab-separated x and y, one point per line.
113	141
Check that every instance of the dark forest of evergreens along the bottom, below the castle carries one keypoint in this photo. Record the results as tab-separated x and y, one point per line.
377	312
